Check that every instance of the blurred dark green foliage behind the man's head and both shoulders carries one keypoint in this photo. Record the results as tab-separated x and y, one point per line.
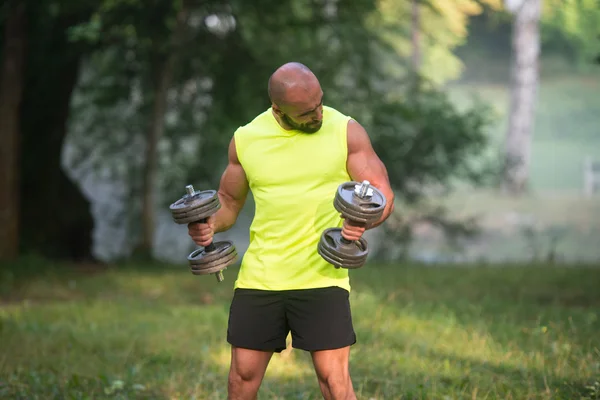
219	83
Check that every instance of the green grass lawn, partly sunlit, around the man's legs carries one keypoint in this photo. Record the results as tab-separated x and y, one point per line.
528	332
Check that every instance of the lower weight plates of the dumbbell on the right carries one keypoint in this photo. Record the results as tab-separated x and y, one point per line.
341	254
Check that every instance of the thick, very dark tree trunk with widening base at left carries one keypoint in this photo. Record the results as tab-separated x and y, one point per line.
56	220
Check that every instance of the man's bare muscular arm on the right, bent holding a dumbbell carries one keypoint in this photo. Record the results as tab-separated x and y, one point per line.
364	164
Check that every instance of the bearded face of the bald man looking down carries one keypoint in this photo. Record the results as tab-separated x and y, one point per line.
305	115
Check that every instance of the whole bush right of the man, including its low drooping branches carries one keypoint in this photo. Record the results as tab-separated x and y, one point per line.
428	146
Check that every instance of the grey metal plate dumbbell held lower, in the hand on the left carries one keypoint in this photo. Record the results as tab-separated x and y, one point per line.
197	207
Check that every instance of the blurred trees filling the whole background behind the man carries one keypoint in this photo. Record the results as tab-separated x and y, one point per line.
110	108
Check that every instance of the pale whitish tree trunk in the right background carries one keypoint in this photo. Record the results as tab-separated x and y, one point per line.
524	76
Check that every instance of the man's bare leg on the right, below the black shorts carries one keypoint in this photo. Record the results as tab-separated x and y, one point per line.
333	373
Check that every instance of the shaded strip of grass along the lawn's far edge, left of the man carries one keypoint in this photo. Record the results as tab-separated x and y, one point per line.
36	281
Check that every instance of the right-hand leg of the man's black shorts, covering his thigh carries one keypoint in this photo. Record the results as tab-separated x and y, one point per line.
320	319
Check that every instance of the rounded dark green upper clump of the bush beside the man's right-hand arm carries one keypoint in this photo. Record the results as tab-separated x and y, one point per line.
425	141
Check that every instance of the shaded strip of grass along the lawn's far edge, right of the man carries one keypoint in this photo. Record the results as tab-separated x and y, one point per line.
524	297
